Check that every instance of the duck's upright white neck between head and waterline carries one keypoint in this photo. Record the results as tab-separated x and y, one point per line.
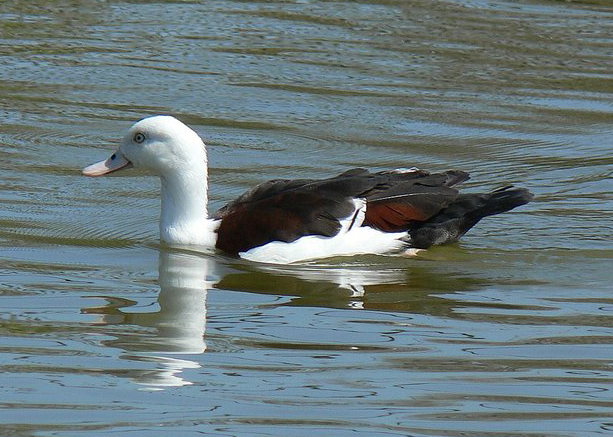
184	220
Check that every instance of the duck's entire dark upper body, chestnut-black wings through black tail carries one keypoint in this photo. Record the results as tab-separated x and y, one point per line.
412	201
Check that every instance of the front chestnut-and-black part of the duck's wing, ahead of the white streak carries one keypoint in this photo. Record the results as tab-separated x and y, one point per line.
285	210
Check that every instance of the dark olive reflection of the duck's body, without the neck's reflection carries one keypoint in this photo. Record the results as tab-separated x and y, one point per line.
405	286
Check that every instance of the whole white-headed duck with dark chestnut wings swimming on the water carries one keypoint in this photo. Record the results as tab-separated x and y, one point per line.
283	221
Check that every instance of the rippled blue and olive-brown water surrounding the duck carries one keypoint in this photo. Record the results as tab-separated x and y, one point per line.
508	333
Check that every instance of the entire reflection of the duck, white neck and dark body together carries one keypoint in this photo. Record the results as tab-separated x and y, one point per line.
177	323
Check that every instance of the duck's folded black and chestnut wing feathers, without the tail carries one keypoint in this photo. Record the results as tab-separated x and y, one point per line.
285	210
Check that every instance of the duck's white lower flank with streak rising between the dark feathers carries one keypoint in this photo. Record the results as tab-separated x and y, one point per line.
352	239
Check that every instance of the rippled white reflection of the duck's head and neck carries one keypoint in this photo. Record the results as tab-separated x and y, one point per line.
178	324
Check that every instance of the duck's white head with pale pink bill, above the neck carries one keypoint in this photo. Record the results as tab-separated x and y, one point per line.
160	144
